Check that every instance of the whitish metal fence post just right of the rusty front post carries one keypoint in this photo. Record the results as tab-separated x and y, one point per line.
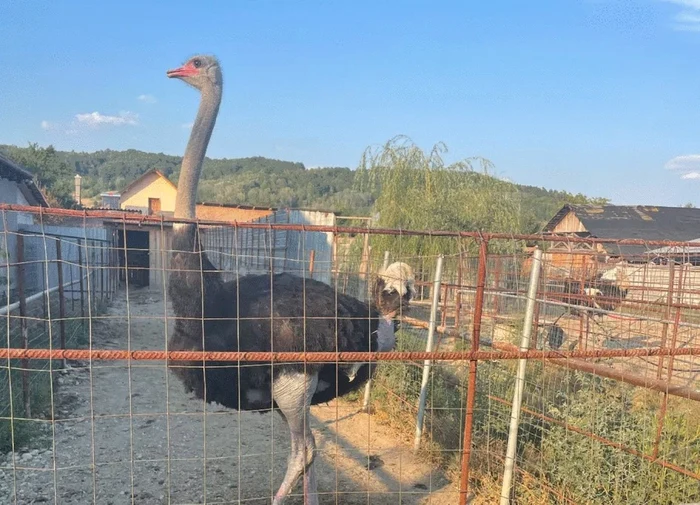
520	378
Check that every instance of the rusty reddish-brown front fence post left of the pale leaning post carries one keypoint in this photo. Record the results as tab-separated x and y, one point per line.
471	384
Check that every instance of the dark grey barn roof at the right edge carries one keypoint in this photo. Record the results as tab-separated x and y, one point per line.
645	222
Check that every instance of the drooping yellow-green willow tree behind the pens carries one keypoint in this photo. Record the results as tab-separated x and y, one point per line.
416	190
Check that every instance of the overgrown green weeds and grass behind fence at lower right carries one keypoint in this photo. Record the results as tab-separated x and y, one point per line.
553	461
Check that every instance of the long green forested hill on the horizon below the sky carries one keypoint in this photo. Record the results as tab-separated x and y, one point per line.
251	181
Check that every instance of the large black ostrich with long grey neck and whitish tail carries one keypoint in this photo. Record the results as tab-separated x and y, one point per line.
279	313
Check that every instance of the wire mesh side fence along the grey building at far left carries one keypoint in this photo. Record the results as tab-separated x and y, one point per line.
55	279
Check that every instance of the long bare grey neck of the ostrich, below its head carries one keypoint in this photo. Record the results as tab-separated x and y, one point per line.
185	202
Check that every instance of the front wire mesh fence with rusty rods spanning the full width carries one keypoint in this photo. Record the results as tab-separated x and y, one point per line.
609	409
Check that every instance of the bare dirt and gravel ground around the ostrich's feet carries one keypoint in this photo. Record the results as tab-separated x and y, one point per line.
130	435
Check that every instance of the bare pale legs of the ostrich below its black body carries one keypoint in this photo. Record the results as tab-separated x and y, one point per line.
292	393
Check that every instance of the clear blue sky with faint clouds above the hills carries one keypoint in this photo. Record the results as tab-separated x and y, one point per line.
598	96
